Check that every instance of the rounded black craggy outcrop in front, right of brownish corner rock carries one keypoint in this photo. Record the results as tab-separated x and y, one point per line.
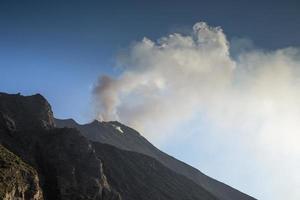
70	167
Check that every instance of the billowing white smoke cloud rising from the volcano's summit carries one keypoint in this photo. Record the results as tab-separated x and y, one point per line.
179	77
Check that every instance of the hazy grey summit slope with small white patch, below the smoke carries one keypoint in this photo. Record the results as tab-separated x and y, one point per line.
123	137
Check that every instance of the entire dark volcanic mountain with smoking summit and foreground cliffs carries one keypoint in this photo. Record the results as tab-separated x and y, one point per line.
46	158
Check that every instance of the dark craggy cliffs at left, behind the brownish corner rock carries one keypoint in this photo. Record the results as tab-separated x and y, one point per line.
67	165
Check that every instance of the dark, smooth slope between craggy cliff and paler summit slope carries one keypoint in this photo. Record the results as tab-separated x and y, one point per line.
140	177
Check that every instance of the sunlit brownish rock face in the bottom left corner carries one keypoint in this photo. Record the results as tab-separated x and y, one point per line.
17	179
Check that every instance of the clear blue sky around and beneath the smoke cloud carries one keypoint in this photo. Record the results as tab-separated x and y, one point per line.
60	48
